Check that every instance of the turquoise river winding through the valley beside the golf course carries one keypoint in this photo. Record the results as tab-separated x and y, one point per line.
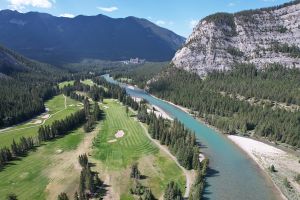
232	175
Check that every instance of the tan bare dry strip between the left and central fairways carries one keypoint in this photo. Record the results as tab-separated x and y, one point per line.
64	174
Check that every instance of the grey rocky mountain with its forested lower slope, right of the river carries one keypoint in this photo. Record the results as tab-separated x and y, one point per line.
245	73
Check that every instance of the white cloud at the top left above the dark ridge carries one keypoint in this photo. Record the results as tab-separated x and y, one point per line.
21	4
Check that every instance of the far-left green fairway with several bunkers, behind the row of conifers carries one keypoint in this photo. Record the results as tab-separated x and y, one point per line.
57	111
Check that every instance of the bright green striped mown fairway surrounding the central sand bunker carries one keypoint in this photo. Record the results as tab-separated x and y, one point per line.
127	149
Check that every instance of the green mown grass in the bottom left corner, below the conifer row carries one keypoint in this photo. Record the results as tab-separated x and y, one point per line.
28	177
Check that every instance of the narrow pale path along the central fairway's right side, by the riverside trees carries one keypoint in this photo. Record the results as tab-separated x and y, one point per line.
189	174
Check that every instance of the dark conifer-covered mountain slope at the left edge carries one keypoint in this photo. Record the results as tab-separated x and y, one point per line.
24	85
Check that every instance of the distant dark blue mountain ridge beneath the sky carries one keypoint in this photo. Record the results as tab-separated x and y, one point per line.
62	40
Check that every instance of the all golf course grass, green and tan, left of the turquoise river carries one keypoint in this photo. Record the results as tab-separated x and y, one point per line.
54	164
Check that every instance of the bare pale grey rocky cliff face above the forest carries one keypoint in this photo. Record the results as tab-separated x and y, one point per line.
270	35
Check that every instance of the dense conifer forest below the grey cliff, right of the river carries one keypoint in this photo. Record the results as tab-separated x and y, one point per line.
231	114
